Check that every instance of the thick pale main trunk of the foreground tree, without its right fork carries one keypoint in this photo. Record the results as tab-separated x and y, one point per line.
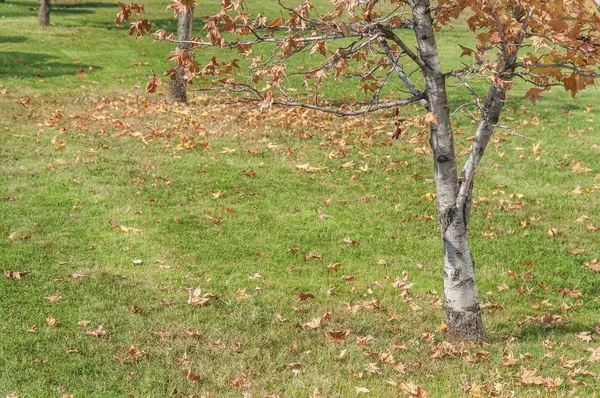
463	314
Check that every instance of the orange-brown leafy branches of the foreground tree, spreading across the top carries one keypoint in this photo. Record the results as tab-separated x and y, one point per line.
554	44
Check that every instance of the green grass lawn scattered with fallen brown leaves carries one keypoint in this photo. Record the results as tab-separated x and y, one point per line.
64	194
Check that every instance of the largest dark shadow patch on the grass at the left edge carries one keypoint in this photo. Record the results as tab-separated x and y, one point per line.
31	65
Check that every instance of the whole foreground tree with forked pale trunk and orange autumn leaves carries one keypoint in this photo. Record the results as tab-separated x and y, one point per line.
532	42
